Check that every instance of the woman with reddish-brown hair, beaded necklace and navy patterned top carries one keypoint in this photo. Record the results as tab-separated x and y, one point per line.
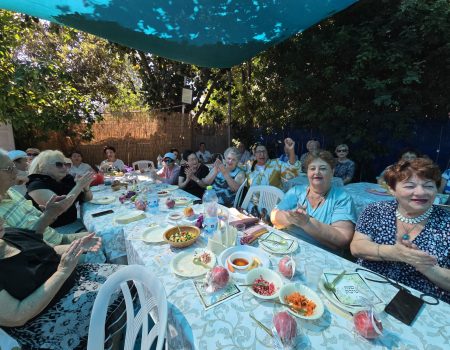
408	239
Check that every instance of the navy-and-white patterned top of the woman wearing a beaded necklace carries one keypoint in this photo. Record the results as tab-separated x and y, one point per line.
378	221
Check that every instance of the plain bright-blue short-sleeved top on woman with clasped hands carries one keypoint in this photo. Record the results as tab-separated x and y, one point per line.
338	206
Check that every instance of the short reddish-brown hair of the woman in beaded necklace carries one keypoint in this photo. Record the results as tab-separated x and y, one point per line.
424	168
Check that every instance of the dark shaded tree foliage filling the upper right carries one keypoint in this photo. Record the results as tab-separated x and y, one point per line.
369	72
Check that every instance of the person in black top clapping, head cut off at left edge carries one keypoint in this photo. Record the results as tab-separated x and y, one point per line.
45	298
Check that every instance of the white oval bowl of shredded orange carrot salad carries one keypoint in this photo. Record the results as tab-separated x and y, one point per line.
303	301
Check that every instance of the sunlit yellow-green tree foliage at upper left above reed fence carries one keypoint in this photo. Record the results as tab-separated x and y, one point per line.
58	79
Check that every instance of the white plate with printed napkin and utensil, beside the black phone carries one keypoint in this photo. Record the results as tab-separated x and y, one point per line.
352	292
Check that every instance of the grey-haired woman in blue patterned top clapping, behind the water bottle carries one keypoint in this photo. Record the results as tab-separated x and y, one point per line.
226	179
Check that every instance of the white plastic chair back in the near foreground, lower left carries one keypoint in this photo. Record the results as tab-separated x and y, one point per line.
151	294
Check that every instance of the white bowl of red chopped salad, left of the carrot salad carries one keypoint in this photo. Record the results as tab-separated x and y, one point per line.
263	283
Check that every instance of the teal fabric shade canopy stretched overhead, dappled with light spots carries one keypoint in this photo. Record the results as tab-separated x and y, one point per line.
208	33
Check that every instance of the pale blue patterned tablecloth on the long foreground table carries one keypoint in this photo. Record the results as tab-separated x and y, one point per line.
228	325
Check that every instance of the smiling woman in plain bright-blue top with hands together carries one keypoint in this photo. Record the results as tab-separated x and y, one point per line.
318	213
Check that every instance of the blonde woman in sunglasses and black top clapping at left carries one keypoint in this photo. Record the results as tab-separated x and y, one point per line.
49	176
